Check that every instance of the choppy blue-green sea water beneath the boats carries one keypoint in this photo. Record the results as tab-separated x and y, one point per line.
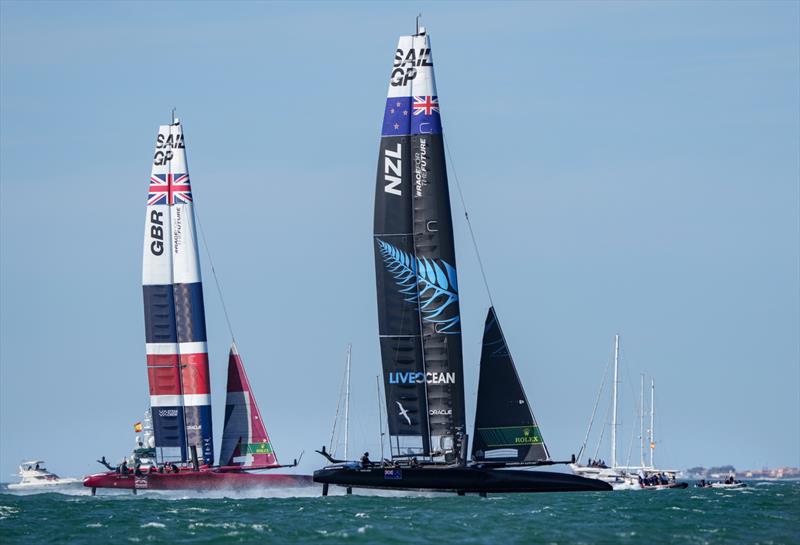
763	513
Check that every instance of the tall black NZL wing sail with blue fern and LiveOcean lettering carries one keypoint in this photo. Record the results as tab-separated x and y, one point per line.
418	310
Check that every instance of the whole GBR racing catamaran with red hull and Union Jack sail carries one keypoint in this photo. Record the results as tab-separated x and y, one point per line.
177	356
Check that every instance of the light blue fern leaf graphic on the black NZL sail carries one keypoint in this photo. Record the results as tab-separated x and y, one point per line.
432	284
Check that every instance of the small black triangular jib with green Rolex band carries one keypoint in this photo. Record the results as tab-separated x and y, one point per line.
505	429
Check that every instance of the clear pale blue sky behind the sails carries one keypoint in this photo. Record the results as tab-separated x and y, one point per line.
628	168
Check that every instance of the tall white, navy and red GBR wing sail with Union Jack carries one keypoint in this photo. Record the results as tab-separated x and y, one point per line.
177	356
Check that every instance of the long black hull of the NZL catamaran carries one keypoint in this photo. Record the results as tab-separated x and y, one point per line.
457	479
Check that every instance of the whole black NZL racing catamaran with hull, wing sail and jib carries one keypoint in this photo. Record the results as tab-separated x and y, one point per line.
420	324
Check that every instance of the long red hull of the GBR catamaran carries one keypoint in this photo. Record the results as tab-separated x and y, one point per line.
196	480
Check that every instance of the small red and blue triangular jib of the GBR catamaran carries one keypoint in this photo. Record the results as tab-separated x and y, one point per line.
245	442
